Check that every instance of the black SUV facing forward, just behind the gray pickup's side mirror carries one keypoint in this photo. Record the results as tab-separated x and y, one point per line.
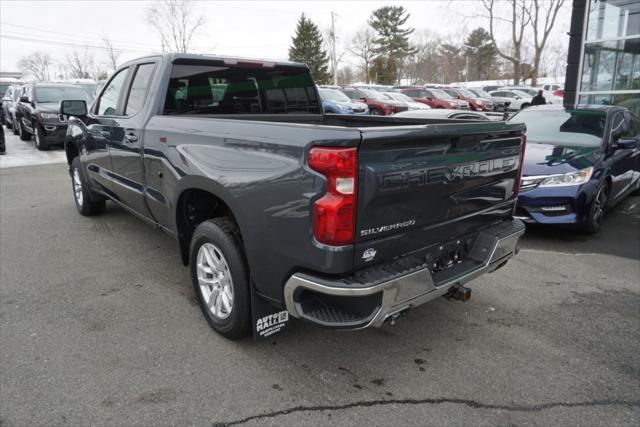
38	112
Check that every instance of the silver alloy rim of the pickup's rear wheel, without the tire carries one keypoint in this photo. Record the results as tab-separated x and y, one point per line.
214	279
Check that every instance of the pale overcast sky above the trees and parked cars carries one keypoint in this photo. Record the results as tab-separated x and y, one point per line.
260	29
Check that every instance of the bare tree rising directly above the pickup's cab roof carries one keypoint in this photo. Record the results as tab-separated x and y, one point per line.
176	21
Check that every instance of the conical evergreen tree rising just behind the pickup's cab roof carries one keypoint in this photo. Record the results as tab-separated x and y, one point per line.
307	48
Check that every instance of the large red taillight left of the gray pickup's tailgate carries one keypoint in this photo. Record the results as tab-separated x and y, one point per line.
335	212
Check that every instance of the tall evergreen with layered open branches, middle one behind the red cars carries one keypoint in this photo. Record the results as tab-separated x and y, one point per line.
392	42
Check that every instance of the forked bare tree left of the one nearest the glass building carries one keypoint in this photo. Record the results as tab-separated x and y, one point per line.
518	18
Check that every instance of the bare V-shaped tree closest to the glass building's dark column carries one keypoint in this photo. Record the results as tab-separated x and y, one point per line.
542	15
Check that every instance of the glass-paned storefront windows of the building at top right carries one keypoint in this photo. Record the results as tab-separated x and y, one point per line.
611	59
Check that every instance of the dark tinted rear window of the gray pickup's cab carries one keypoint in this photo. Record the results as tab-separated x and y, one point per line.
214	87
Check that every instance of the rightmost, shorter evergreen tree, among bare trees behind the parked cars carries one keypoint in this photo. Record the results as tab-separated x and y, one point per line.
482	54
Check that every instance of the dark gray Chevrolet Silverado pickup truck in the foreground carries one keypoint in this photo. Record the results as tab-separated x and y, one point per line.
280	210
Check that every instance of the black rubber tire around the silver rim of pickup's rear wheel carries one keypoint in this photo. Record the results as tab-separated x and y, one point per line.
222	234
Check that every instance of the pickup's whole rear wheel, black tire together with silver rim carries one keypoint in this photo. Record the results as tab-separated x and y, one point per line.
220	277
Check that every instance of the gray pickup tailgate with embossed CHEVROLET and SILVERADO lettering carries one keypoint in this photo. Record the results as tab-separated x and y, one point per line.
421	186
